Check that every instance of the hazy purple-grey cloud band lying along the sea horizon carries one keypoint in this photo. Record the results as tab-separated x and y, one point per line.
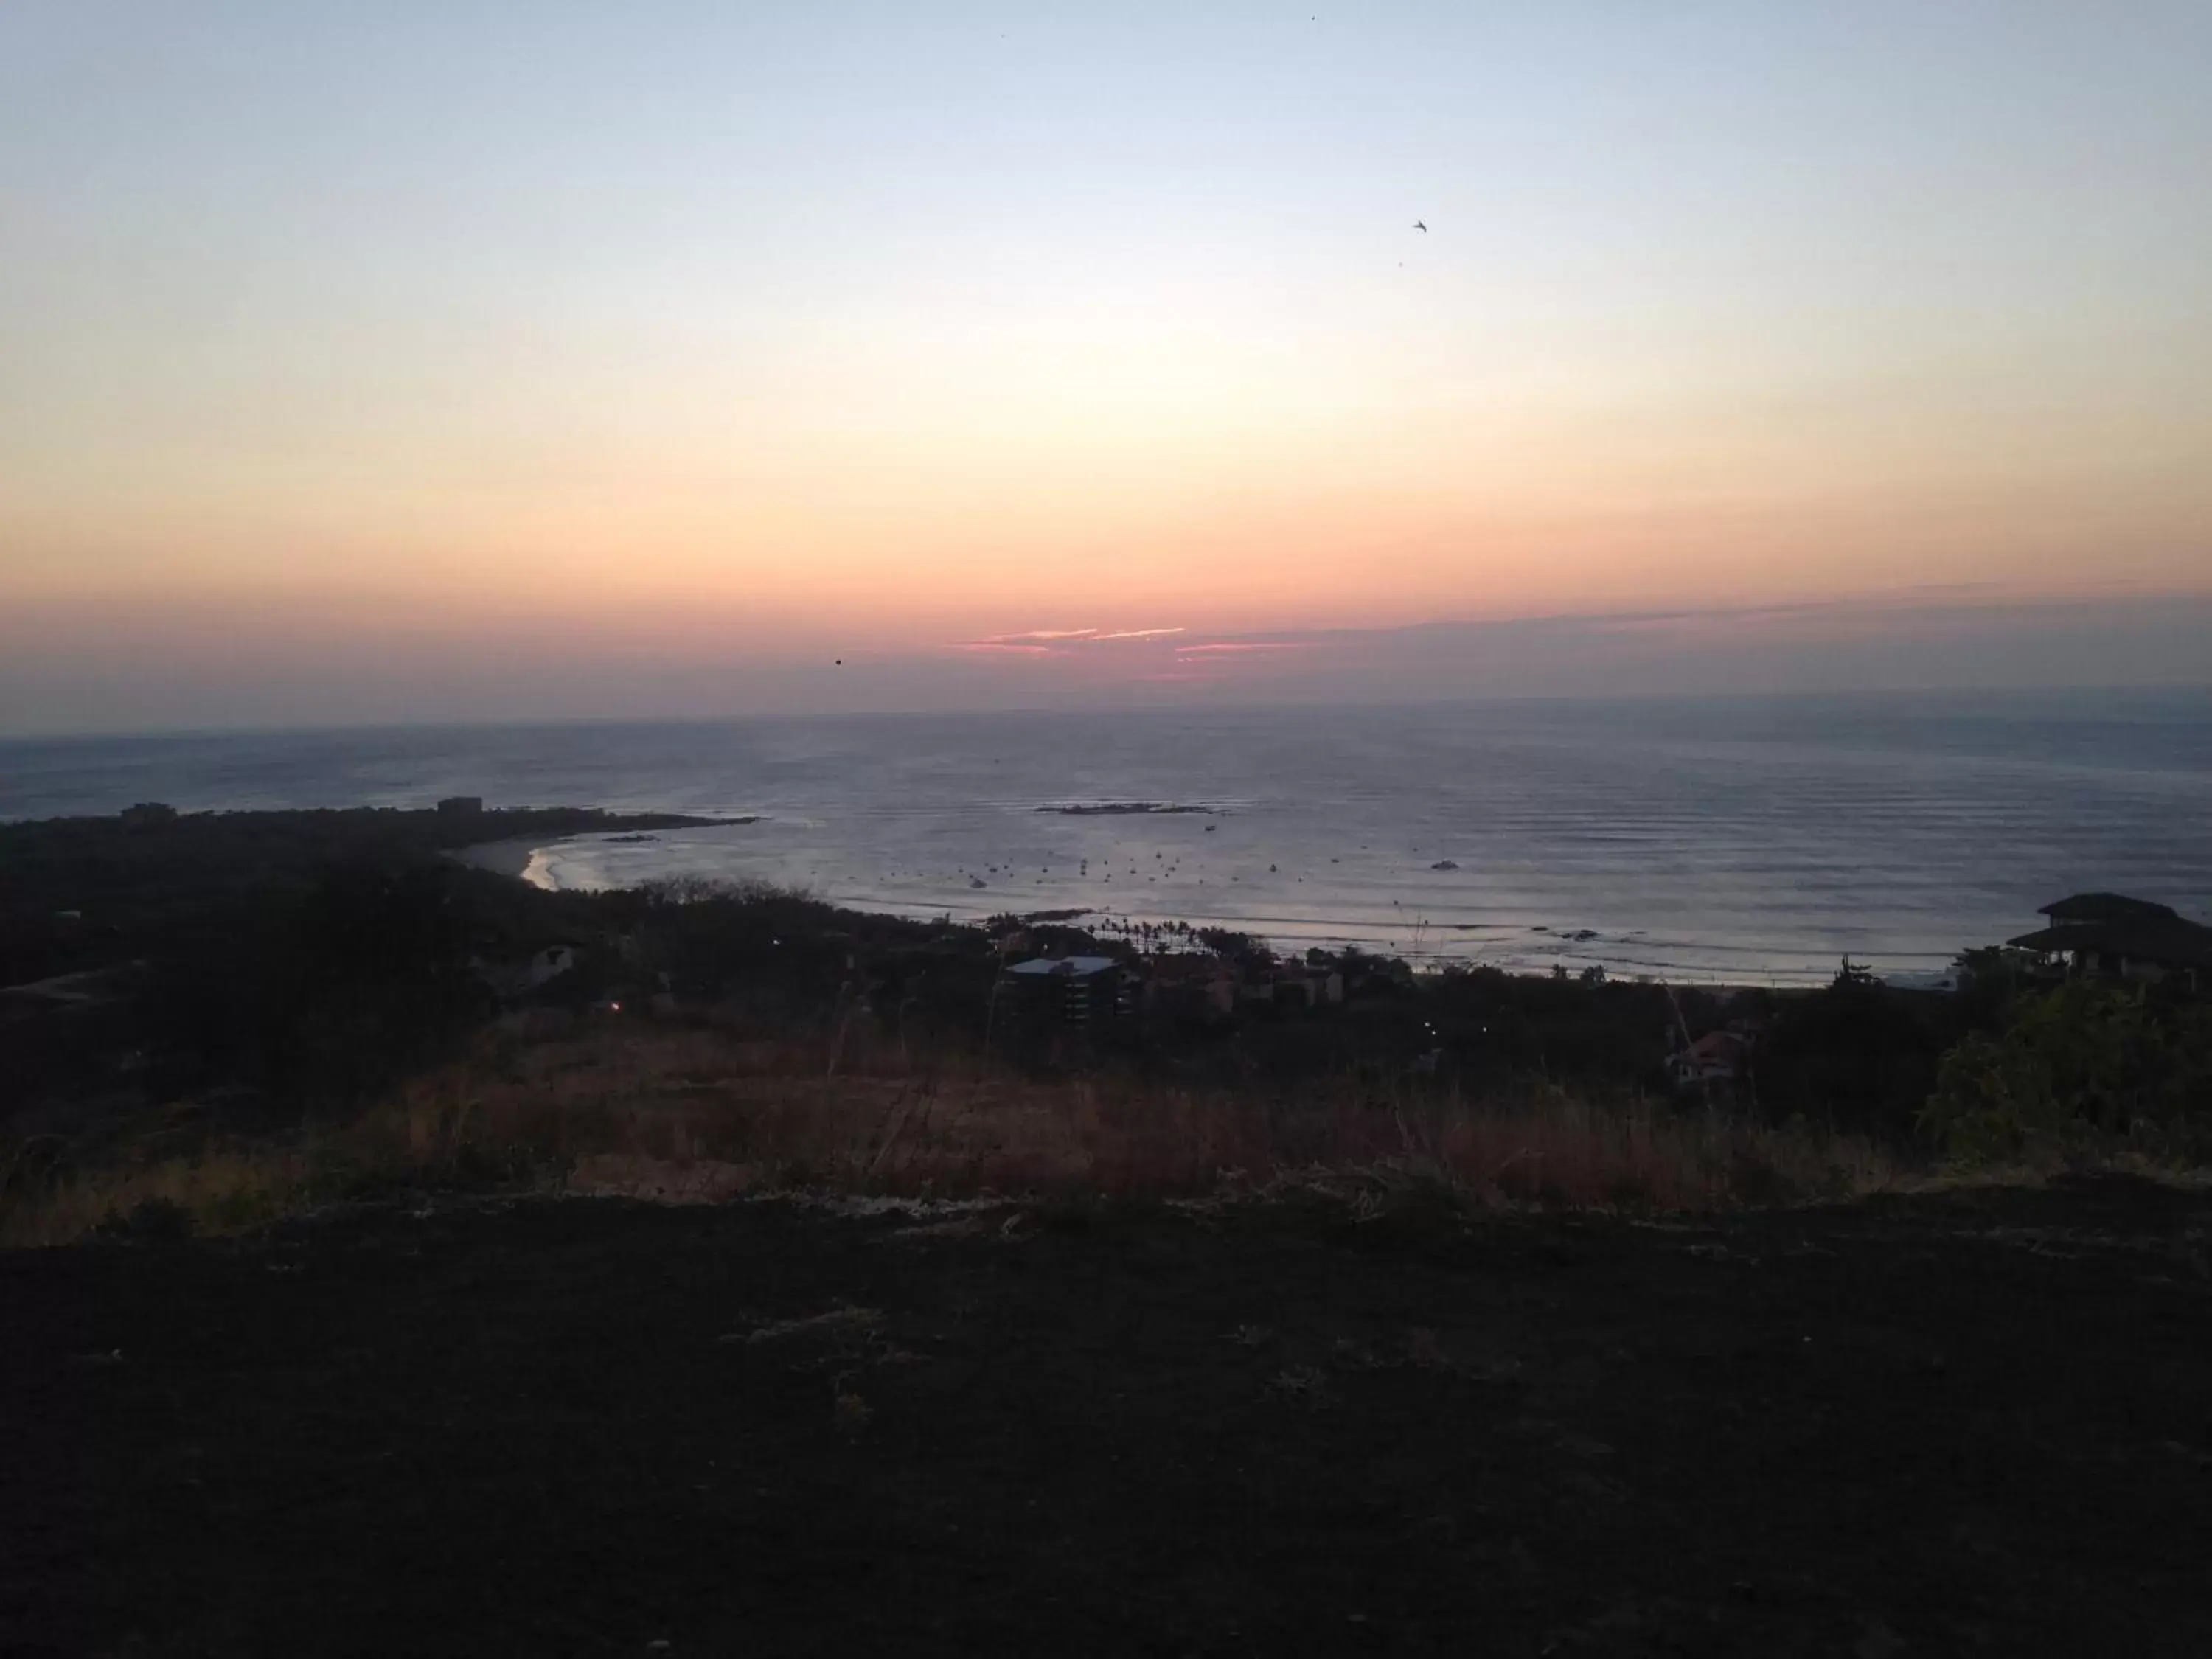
379	671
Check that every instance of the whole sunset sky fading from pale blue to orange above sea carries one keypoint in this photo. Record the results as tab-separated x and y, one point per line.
455	362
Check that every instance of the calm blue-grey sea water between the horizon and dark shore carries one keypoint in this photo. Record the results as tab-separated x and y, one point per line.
1713	839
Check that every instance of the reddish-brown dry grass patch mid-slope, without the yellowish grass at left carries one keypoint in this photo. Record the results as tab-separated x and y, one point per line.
740	1118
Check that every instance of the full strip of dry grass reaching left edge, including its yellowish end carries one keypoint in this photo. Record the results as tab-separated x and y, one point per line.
689	1114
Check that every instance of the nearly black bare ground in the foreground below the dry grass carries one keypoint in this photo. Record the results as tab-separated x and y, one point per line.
1926	1426
